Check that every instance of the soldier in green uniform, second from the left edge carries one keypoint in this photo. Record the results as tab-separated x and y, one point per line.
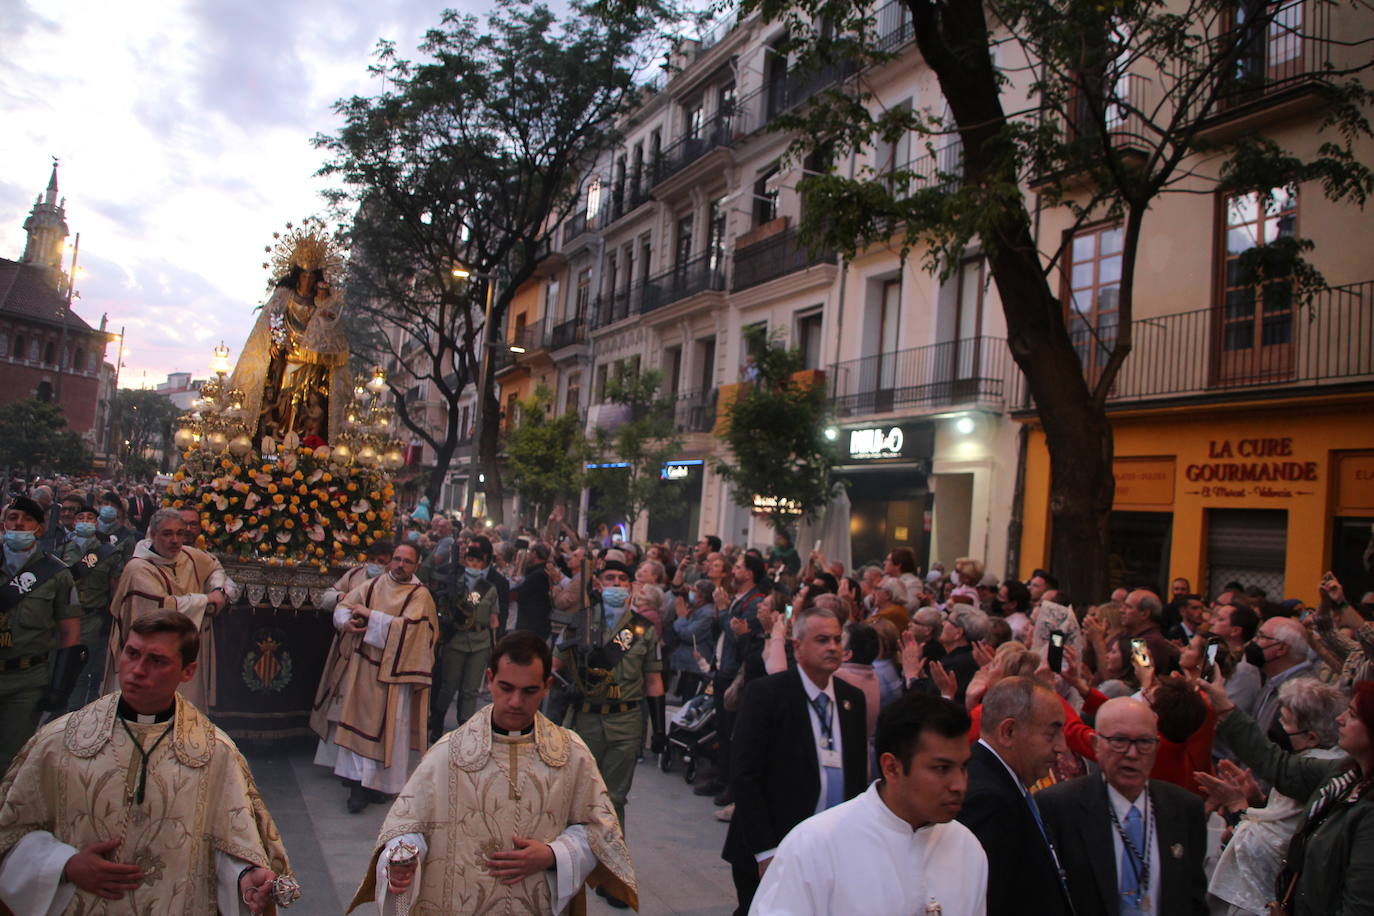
95	568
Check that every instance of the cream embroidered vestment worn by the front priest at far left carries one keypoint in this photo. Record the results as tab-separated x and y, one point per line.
200	825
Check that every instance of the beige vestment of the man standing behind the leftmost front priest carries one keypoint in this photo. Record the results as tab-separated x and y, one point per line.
182	583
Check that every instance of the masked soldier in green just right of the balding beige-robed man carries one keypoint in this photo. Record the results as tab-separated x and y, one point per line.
469	615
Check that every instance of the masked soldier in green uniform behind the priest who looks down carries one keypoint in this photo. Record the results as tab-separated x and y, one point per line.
619	671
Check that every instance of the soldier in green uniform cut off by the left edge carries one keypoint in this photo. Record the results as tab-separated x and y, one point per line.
38	612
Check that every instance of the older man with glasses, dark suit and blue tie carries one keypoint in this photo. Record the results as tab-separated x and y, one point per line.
1127	844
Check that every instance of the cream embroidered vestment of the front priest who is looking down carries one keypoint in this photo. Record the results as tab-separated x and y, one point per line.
472	794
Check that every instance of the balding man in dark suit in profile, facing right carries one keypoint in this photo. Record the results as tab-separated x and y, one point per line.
1023	733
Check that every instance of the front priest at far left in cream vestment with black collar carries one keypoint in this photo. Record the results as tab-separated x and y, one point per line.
138	804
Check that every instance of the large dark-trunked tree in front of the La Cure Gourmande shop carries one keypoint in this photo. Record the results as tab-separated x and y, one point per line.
1093	146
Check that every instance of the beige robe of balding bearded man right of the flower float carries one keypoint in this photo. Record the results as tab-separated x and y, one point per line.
373	704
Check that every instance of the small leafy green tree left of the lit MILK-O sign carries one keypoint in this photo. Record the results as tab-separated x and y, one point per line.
776	437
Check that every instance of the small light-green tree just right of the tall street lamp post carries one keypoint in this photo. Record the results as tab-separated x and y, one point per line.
546	454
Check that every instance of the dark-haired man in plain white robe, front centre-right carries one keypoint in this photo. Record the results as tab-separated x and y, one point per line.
895	851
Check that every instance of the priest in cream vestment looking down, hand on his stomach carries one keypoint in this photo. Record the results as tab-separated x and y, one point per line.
505	815
